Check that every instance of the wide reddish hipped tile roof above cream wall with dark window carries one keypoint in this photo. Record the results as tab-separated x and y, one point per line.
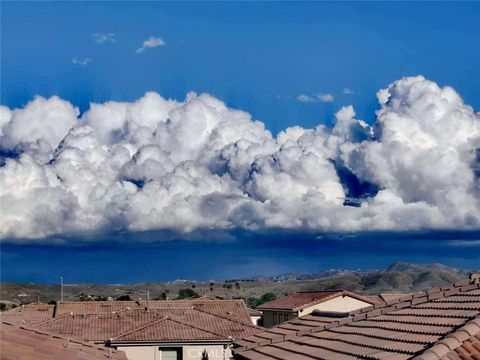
224	318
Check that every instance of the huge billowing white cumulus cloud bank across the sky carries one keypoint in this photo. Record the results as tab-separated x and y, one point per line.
198	165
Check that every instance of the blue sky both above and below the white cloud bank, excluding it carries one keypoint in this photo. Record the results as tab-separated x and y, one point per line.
285	63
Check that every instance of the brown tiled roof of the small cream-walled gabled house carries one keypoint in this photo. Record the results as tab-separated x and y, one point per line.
300	300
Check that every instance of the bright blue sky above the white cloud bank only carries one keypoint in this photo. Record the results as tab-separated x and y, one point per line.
257	57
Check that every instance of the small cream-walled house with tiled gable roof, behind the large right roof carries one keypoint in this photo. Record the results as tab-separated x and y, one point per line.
303	303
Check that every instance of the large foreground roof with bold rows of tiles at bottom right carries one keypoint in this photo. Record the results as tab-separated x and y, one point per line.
437	324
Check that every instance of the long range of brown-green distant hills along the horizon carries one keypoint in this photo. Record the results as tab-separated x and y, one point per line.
398	277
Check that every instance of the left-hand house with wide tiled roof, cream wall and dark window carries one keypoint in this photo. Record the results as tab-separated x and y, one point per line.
156	330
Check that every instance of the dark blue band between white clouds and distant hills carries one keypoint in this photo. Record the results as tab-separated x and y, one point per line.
234	255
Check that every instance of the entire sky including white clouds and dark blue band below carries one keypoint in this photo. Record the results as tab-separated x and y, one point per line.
298	136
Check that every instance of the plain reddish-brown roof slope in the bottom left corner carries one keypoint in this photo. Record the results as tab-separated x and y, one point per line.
24	343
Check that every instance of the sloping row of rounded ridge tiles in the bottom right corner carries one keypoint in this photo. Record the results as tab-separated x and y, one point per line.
451	342
